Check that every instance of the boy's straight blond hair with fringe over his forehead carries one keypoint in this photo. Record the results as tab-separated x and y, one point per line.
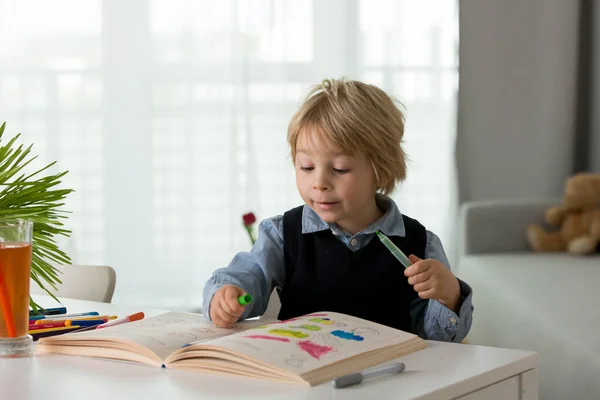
360	119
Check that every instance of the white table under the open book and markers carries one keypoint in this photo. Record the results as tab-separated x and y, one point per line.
441	371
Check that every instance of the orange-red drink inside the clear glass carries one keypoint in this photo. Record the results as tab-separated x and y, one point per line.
15	266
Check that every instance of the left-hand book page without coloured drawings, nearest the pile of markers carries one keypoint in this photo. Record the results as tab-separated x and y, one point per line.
162	334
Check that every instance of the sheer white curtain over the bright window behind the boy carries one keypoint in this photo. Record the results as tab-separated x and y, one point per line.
171	117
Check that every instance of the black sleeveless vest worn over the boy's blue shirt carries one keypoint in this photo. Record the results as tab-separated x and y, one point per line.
322	274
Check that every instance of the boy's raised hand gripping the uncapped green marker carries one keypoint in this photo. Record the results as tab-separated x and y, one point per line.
433	280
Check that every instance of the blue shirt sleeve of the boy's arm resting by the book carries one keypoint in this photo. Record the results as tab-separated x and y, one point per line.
257	271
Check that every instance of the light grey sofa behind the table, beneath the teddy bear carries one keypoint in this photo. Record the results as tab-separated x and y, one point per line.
548	303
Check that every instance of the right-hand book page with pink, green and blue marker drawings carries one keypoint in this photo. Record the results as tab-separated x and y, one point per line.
306	343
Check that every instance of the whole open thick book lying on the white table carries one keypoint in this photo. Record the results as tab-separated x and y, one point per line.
307	350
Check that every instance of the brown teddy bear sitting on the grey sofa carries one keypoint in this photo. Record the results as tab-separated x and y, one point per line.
577	219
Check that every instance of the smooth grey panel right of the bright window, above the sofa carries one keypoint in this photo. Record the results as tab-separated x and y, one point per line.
517	70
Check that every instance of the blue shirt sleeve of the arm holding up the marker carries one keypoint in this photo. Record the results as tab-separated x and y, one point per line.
433	320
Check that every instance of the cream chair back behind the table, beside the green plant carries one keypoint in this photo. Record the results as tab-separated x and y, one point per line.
83	282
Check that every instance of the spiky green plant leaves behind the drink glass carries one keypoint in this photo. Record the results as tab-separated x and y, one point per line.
37	198
